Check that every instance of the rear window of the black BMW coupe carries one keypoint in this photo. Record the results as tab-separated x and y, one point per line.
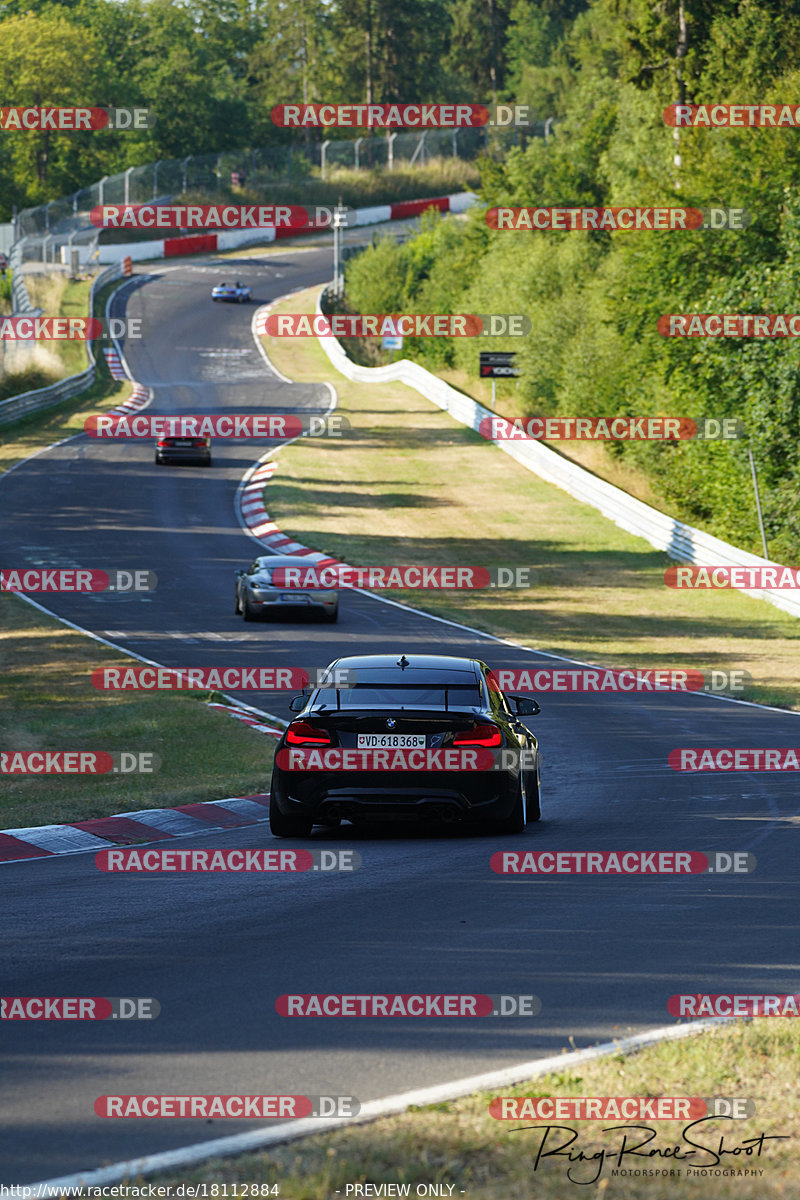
413	689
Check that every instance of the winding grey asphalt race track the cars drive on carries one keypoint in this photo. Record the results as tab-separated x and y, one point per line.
424	914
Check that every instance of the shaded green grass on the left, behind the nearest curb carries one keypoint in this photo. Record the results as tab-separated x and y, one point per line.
47	703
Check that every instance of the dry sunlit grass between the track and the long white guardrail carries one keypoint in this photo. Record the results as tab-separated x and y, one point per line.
410	485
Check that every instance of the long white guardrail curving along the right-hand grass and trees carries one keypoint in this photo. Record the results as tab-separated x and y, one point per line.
681	542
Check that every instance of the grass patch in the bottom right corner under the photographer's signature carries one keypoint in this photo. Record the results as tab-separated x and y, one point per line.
460	1145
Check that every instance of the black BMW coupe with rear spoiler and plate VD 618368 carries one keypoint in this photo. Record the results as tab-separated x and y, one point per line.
425	737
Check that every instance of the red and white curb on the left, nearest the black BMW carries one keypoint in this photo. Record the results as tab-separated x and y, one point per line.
129	829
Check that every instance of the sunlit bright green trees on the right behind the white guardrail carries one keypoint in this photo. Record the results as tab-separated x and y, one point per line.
596	298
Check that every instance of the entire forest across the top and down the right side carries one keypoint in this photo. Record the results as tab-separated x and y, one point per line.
212	71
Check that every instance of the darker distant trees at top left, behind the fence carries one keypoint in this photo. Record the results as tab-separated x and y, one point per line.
213	70
